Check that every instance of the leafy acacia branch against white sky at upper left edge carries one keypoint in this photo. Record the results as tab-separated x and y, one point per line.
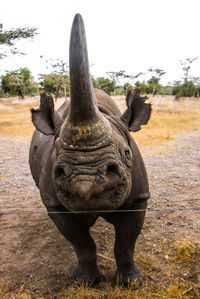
8	39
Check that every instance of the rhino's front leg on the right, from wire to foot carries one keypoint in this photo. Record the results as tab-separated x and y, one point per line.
127	229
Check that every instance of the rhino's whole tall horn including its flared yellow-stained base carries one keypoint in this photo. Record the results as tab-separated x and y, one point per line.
85	124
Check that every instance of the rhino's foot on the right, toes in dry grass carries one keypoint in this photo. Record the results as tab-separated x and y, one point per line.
128	278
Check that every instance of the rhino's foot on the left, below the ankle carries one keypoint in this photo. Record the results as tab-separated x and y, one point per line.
86	277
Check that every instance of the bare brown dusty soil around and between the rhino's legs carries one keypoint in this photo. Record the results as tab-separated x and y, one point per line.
34	252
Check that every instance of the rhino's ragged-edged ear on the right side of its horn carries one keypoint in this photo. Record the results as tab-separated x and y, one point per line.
137	112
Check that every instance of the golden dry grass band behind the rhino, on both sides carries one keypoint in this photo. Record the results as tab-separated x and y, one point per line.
168	118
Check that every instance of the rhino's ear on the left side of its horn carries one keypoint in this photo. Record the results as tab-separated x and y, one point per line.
45	119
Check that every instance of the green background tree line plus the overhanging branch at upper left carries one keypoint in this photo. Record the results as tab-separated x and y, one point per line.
56	81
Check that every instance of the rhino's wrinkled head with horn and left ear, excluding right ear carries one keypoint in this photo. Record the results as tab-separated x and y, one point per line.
92	160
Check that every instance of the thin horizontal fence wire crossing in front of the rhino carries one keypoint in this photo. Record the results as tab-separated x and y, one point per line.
164	210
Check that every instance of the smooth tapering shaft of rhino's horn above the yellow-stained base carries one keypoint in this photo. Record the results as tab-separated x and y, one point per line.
83	103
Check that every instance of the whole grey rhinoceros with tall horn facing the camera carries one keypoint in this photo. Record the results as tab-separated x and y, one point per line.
86	165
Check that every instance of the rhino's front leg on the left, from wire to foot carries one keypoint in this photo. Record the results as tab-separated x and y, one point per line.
76	230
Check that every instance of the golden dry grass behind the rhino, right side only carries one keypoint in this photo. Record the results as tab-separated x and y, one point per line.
168	118
